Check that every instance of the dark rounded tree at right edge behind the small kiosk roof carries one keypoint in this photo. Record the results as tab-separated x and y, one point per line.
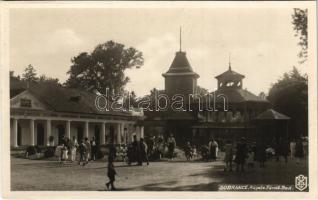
290	96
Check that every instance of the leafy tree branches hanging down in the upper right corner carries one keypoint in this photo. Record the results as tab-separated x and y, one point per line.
300	26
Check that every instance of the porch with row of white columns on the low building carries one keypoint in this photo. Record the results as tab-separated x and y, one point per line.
26	130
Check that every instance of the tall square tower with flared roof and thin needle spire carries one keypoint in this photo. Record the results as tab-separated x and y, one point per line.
180	78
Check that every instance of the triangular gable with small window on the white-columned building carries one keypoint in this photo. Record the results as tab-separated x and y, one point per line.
26	100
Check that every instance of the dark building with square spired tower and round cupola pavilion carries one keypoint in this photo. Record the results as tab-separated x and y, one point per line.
232	115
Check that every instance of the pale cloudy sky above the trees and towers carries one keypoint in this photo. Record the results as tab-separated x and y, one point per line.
261	41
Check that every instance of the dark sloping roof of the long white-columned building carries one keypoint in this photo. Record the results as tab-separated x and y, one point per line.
62	99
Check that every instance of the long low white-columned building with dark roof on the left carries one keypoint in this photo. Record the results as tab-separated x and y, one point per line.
42	114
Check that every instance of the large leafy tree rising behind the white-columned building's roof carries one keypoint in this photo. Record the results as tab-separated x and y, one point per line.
104	67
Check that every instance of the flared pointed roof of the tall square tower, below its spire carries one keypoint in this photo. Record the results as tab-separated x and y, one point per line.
180	66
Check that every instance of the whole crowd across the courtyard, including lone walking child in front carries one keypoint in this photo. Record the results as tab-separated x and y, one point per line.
242	153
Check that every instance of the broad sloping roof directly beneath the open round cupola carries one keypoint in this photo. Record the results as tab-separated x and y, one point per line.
238	95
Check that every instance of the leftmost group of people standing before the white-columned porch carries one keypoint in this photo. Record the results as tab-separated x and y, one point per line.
68	149
